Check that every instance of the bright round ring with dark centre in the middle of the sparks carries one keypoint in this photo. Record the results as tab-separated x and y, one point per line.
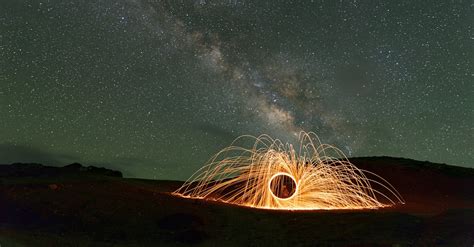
282	186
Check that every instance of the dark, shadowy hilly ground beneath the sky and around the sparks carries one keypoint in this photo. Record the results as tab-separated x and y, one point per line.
87	206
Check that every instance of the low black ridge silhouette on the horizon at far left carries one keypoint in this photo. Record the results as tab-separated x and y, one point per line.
39	170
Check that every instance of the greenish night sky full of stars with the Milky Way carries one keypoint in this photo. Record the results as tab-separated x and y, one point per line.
154	88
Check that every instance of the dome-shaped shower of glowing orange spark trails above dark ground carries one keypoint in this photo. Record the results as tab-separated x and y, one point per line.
274	175
